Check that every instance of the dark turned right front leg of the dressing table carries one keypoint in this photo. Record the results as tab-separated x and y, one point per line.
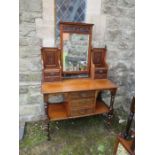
113	93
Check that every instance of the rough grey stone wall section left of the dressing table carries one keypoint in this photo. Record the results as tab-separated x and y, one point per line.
31	102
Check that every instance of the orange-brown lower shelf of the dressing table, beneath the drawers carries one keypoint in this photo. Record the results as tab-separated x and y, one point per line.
58	111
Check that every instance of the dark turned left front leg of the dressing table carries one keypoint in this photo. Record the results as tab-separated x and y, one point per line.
46	115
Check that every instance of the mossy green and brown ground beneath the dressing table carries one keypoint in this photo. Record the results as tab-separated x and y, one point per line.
82	136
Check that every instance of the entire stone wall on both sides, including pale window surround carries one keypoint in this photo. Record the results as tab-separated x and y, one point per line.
113	25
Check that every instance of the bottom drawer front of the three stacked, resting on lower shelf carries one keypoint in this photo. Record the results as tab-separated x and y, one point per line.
79	112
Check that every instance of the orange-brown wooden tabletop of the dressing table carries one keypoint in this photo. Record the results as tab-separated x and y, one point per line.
72	85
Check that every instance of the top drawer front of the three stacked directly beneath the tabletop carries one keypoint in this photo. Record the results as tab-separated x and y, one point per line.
83	94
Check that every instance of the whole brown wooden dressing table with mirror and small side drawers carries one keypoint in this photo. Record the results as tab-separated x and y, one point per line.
78	72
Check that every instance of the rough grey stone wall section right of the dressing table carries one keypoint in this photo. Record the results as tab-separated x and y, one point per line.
120	41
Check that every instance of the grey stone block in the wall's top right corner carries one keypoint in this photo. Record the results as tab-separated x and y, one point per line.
126	3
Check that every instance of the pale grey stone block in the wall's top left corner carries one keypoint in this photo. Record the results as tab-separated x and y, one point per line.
30	5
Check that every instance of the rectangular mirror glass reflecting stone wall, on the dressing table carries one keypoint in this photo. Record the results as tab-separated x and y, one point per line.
75	52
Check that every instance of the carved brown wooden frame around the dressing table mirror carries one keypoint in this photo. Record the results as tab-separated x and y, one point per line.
76	28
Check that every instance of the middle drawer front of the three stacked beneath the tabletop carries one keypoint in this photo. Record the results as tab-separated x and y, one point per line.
80	103
